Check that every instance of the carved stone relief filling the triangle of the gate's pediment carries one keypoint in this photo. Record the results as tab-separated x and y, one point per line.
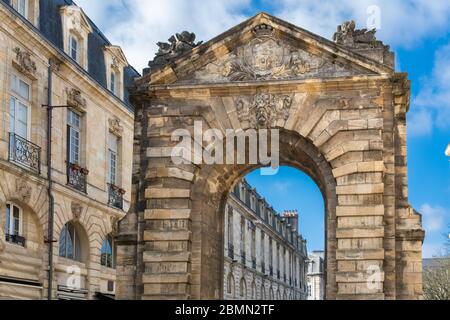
268	58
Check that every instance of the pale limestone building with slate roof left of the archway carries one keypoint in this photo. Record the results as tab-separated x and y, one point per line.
96	119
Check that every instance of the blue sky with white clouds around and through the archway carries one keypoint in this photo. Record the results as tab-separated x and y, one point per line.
418	32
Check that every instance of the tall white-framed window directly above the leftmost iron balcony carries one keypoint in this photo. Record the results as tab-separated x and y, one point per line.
19	106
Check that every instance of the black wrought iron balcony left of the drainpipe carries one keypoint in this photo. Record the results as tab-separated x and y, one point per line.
24	153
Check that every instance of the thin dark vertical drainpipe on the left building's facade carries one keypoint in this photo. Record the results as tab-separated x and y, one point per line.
50	241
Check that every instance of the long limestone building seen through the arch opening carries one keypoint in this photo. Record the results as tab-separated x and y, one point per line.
265	257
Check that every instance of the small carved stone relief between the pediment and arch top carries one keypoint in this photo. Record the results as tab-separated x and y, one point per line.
264	109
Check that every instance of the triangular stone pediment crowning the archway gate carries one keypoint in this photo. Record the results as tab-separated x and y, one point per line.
265	48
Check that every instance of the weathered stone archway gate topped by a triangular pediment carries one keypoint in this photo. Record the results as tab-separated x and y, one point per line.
341	109
